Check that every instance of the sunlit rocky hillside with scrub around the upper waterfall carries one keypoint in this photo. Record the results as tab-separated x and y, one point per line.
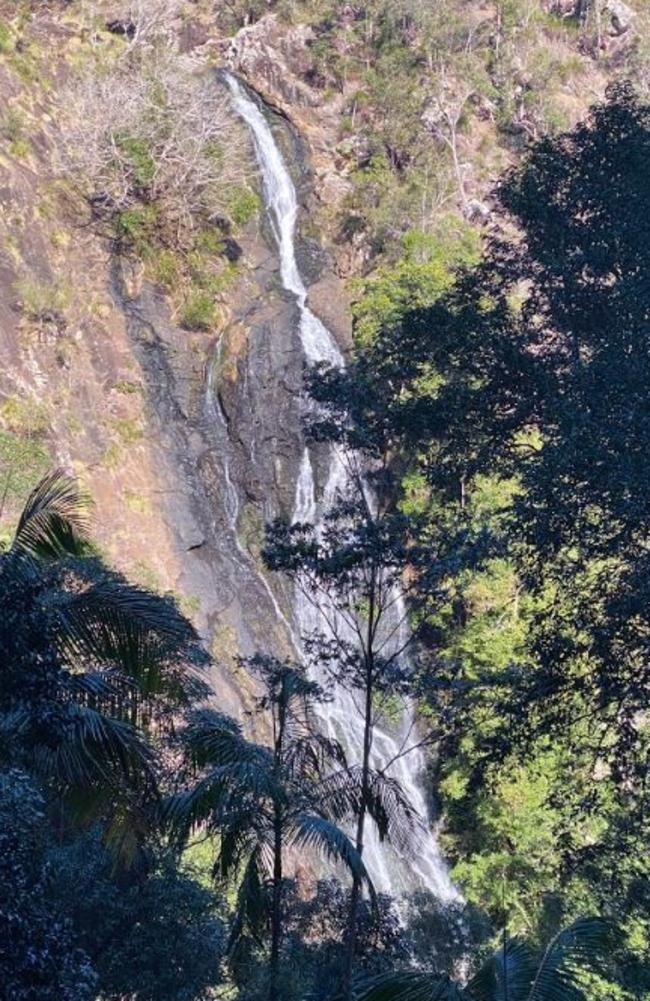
397	119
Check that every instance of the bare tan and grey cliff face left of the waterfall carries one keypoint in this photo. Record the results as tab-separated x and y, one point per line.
189	442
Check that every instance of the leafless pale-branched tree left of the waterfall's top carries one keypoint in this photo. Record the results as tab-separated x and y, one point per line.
152	129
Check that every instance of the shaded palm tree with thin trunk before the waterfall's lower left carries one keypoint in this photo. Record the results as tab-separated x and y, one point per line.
262	800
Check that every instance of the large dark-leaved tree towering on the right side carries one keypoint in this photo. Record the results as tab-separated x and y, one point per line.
534	368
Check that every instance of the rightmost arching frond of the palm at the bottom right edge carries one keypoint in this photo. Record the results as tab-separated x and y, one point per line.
581	945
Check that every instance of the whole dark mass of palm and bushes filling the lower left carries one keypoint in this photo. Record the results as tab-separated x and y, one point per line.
95	672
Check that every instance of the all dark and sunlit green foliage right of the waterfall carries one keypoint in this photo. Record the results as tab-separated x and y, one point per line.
517	404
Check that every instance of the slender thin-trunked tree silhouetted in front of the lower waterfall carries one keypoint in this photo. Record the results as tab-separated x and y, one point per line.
370	576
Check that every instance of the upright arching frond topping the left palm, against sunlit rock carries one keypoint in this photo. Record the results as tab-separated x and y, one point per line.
55	521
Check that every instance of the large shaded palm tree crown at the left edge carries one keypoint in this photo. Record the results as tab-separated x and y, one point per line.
89	665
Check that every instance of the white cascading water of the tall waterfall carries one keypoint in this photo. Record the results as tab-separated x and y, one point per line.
390	874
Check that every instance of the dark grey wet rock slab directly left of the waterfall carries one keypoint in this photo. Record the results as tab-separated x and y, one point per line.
226	428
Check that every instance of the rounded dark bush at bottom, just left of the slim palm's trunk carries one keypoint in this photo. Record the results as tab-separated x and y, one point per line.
155	938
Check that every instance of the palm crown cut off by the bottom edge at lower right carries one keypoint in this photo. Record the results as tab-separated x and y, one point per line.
517	972
